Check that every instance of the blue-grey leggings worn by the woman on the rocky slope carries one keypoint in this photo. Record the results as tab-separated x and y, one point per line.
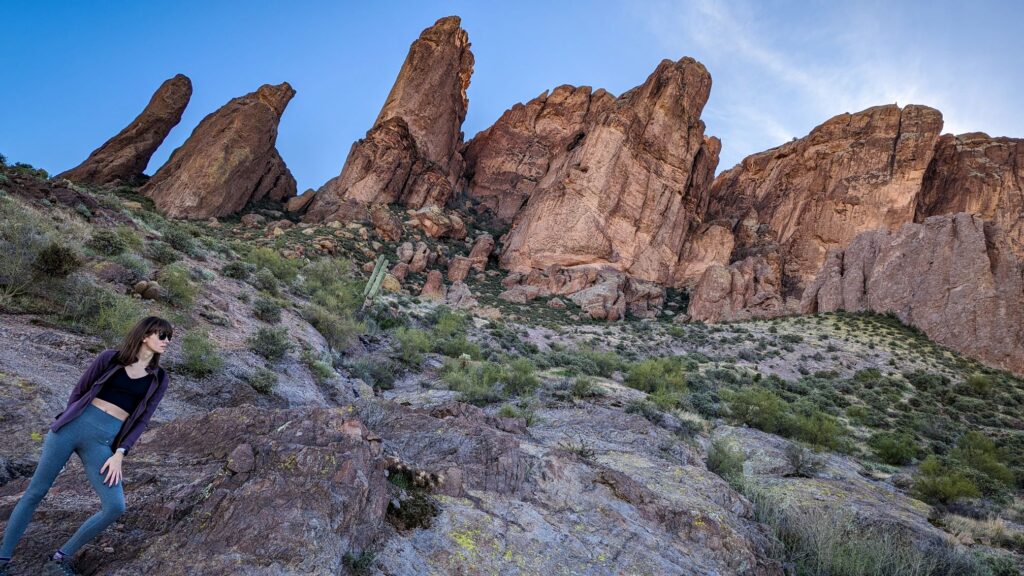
91	435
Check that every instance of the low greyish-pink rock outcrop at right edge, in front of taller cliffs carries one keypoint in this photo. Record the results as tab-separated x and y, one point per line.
954	277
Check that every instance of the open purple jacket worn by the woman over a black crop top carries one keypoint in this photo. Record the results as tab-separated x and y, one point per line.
89	387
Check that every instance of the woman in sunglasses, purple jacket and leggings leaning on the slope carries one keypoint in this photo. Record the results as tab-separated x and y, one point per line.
109	409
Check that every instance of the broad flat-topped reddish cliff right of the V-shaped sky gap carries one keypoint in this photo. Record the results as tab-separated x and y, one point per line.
856	173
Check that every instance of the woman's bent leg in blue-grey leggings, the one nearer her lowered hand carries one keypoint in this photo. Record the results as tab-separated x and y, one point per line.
95	450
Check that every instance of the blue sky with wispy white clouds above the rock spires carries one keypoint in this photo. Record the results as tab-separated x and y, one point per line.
75	73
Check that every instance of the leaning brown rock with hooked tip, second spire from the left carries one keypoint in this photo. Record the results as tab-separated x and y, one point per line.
229	161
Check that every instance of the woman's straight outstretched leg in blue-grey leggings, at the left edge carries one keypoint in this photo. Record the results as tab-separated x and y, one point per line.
58	447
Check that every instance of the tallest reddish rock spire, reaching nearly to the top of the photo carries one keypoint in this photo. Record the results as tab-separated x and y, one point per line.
412	153
